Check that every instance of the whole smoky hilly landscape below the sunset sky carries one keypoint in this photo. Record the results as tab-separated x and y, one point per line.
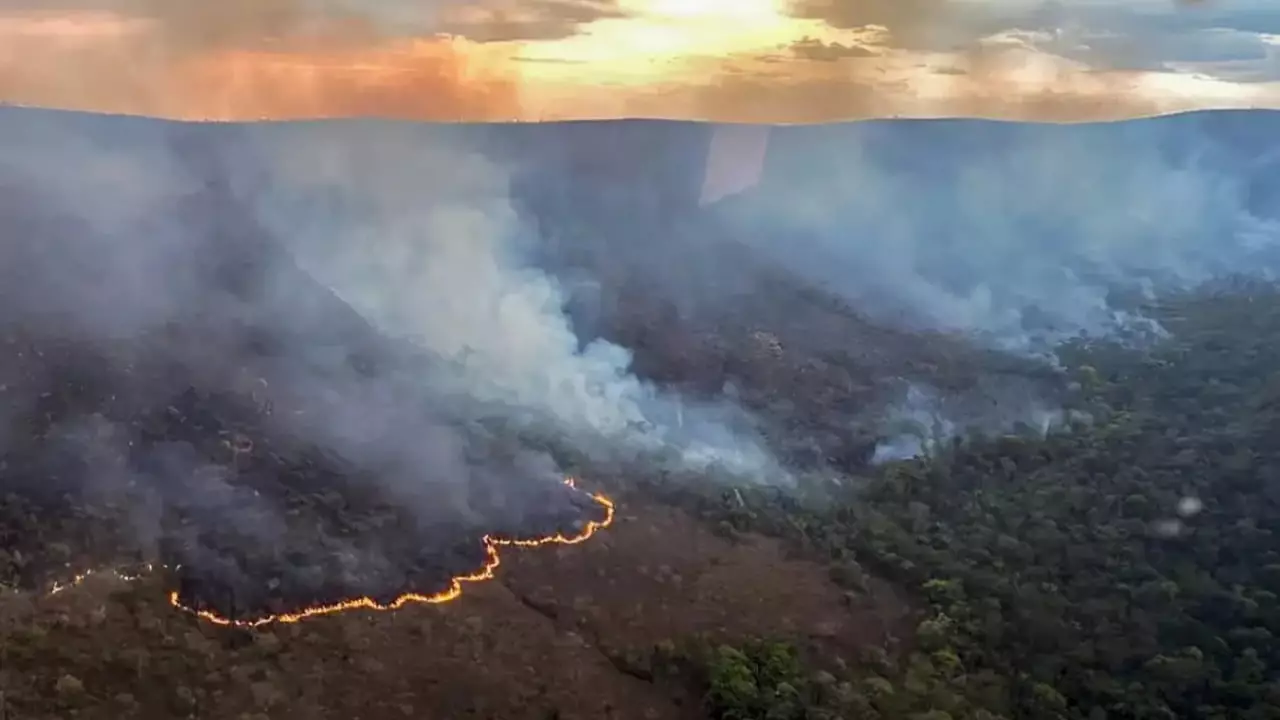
190	384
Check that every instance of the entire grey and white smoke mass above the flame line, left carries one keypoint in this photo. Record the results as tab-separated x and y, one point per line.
170	358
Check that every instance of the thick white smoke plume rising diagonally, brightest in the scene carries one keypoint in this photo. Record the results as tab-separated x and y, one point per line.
420	236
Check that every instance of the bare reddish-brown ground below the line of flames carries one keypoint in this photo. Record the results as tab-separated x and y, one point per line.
574	634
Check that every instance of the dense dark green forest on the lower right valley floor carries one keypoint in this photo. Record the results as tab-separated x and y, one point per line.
1126	568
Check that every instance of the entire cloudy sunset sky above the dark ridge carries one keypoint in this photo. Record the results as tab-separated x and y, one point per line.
728	61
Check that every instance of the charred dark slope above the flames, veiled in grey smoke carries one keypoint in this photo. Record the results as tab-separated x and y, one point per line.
198	443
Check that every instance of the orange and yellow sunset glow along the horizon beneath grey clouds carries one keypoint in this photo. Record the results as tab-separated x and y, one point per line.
742	61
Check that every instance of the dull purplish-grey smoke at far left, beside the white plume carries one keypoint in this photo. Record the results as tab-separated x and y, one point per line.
154	336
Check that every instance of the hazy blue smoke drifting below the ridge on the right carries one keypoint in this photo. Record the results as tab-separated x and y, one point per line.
1022	236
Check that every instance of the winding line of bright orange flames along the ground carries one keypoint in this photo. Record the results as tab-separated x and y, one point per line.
455	590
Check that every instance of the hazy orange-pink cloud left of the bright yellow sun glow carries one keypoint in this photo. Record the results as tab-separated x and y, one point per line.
248	60
